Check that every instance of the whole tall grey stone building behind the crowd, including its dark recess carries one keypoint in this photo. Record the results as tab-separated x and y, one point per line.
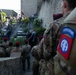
44	8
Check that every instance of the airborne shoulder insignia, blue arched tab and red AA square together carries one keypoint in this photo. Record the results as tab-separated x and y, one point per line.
65	42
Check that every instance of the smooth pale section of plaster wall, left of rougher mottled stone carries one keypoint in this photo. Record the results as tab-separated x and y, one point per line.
46	13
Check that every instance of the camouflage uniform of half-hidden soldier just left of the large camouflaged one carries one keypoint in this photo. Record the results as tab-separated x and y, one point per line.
35	66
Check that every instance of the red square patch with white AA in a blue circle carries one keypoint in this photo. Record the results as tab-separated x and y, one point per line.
65	45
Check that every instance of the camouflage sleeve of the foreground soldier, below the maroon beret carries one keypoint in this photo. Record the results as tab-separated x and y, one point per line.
48	40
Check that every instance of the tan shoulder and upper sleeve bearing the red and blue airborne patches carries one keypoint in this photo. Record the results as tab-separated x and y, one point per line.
67	44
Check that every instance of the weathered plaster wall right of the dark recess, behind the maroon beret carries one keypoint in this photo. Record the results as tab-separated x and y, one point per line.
47	11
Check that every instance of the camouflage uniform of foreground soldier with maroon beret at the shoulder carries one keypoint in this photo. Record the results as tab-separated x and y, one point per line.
49	49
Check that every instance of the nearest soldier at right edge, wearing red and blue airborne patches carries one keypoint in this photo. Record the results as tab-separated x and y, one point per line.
65	57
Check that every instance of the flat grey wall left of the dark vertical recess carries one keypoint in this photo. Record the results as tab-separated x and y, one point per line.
29	7
